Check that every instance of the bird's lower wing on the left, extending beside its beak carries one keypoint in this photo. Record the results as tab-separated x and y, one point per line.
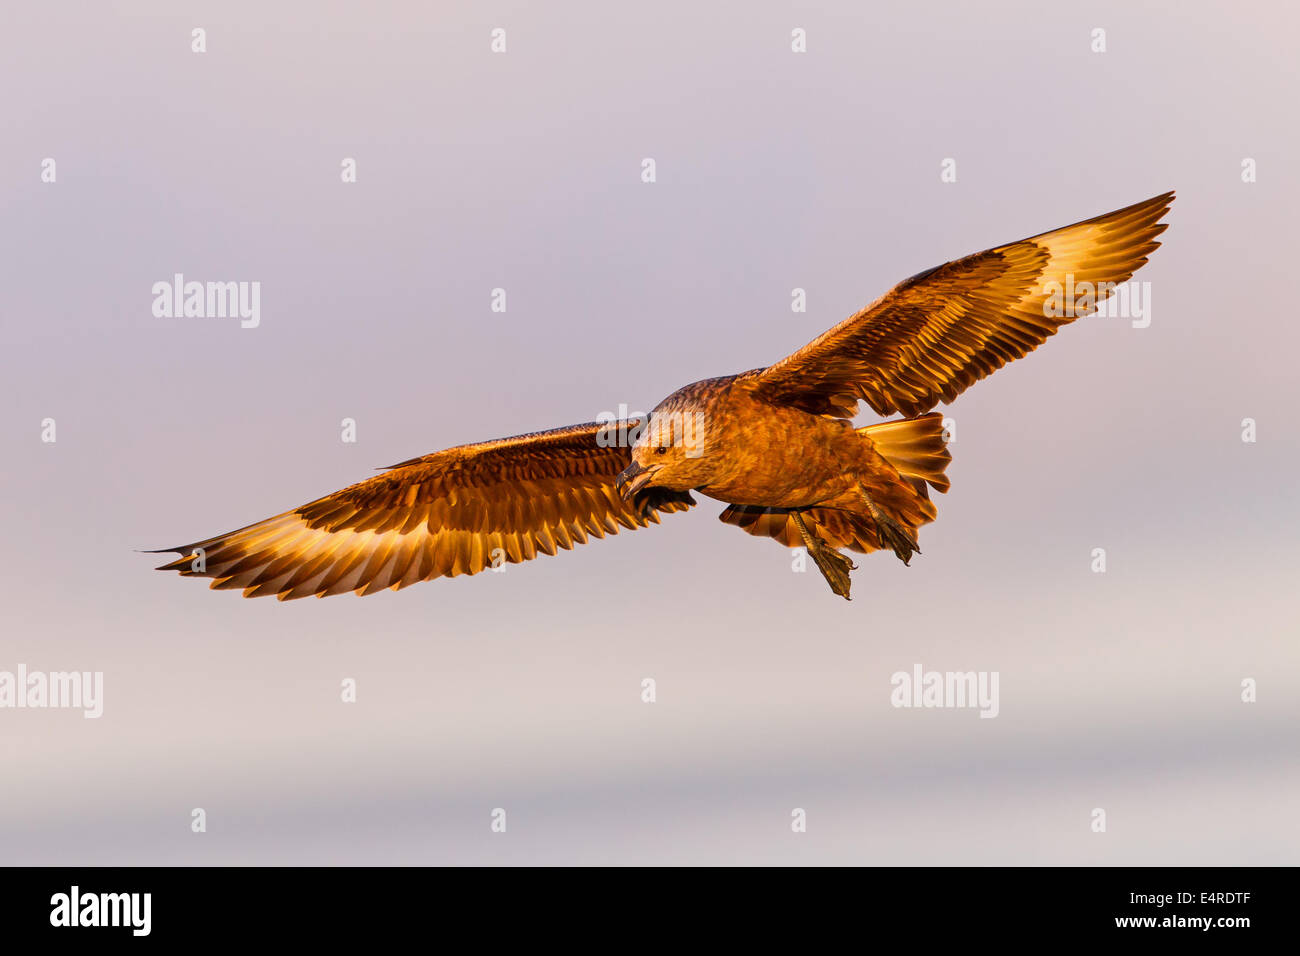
456	512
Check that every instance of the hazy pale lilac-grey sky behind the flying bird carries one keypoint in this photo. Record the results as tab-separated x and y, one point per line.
522	690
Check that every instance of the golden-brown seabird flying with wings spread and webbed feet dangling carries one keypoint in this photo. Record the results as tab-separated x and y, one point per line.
775	443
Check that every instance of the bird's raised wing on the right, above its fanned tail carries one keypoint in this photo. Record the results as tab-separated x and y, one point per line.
931	338
